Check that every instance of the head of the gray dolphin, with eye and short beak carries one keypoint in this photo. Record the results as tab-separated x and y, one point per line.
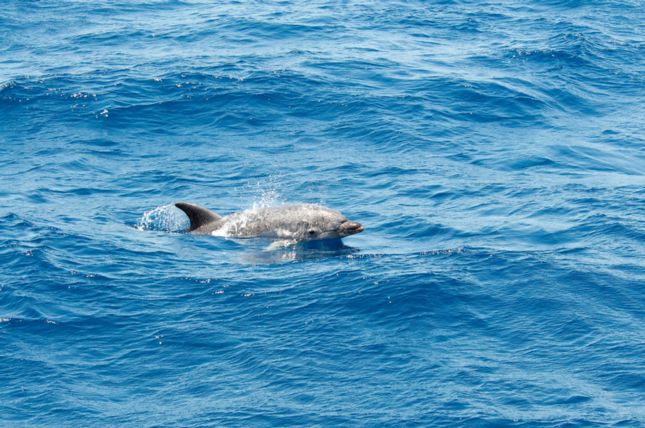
323	223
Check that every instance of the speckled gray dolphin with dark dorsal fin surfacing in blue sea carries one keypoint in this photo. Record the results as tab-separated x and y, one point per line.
304	222
